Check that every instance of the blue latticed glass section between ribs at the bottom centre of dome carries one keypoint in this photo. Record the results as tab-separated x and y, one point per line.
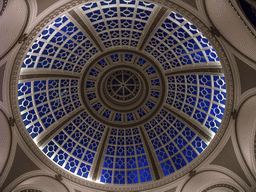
125	158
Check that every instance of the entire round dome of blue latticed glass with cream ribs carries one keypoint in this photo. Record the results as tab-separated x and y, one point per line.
121	92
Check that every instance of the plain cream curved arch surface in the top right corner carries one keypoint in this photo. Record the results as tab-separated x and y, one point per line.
225	19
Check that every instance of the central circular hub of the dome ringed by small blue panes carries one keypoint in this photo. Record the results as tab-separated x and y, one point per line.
108	107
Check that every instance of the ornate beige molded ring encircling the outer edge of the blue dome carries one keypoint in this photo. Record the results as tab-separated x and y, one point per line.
20	125
